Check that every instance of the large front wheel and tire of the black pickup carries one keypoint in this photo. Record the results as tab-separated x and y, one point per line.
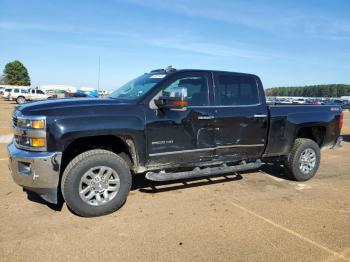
82	169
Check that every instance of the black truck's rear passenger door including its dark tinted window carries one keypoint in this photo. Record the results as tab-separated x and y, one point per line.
241	116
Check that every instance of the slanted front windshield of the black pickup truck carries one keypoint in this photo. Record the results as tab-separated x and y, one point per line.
137	87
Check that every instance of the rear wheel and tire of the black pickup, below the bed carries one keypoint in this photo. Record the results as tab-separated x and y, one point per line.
303	160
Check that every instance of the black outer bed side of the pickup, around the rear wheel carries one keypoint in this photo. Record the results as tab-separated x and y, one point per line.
288	121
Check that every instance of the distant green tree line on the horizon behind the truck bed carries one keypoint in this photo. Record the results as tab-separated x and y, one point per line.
332	90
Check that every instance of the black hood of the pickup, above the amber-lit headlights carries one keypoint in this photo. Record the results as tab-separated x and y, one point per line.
70	106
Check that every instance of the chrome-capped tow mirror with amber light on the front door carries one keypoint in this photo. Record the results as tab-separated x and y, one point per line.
176	98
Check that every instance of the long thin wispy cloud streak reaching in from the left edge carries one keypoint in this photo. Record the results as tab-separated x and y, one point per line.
179	39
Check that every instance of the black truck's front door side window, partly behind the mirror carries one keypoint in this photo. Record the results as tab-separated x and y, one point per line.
197	89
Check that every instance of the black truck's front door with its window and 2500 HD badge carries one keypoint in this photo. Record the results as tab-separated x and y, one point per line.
183	136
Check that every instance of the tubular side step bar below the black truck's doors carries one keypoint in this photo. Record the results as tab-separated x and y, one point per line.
198	172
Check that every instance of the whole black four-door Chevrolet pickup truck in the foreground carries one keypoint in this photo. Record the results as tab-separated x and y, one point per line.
168	124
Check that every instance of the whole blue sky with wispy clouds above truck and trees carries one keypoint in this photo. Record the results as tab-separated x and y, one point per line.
286	43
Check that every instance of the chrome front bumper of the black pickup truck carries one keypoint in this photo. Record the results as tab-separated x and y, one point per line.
36	171
